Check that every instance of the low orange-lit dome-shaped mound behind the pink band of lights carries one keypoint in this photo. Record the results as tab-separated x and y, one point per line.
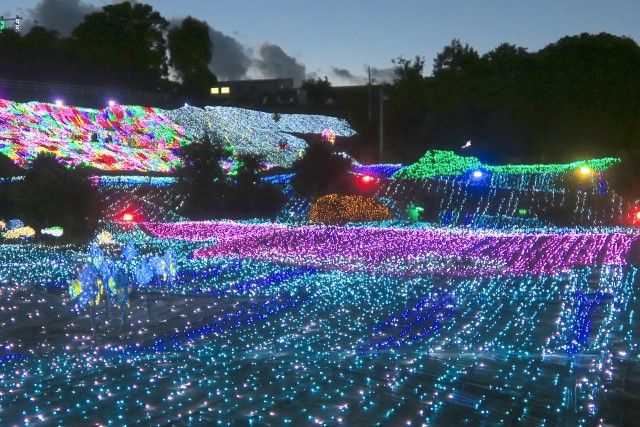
337	209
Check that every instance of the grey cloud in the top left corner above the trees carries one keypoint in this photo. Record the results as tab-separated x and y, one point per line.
60	15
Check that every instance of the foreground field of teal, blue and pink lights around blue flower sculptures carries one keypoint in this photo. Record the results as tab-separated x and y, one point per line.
270	324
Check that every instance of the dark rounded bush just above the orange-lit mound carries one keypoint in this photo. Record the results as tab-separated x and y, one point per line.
321	171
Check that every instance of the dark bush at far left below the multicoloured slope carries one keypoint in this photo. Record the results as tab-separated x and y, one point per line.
53	195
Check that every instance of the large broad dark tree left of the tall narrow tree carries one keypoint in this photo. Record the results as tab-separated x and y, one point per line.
127	39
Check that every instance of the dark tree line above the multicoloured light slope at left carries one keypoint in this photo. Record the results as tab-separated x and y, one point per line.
123	45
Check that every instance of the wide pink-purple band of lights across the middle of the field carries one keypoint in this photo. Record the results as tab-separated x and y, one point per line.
418	250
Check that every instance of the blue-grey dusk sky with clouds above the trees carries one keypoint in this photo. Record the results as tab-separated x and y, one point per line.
339	38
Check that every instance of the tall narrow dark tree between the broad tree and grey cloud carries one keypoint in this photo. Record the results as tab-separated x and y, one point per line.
191	51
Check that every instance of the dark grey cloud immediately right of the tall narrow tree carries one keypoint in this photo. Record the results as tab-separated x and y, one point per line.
231	59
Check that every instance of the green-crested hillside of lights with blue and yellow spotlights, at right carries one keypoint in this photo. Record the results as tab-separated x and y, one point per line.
548	192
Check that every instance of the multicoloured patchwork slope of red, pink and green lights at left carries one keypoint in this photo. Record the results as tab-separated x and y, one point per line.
126	138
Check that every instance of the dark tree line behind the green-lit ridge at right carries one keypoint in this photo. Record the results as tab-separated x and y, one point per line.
576	98
